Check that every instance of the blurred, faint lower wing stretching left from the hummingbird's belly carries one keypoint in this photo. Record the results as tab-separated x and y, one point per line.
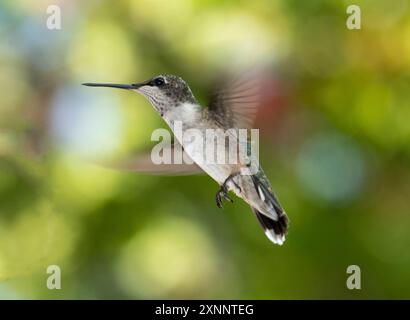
142	162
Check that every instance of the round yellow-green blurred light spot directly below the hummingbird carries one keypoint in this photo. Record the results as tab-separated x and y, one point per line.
172	257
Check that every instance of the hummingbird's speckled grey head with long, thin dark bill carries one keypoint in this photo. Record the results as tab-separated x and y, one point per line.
163	91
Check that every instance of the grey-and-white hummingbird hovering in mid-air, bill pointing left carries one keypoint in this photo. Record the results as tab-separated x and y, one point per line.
231	106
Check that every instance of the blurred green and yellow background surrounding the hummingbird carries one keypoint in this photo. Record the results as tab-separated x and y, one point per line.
335	143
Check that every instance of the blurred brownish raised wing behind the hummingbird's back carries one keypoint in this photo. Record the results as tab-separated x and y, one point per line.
235	101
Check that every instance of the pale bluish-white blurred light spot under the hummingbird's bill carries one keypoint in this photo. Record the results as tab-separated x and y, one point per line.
86	124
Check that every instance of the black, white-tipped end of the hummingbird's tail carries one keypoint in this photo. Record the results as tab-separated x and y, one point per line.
274	230
